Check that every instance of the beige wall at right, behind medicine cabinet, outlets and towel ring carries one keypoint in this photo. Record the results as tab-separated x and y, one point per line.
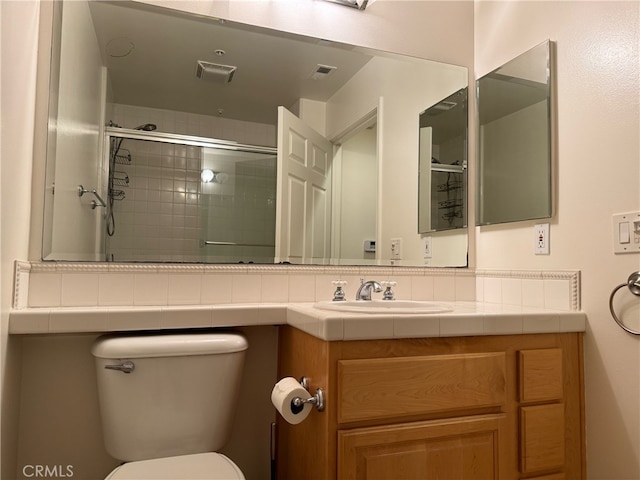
598	173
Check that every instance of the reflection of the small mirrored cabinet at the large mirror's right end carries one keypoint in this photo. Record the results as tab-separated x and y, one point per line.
442	195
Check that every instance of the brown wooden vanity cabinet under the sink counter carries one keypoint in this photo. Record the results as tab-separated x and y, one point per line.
479	408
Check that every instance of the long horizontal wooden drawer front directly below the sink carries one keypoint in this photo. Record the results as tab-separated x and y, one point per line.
392	387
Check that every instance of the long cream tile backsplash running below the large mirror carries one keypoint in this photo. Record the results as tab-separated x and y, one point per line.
39	285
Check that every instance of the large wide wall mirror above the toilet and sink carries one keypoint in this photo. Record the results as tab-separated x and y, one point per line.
179	138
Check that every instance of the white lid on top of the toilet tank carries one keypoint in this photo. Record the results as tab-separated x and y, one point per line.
167	345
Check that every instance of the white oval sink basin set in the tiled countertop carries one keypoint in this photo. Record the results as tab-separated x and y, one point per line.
408	307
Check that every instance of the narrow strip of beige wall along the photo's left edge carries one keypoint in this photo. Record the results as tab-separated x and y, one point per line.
18	41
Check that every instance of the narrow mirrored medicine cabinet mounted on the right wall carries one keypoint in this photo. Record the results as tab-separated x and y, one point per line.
515	135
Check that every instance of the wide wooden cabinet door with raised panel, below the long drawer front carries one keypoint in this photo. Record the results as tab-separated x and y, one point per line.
466	448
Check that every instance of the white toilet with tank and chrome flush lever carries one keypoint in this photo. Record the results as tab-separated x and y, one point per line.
167	402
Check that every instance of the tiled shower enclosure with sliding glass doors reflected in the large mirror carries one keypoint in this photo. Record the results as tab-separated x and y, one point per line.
181	198
